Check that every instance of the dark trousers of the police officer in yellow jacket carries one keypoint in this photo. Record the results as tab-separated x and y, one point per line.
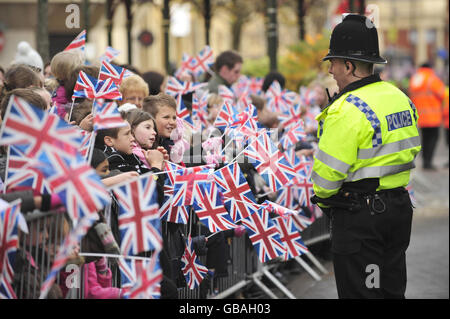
369	248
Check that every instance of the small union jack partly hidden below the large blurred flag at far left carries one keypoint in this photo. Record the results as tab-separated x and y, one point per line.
21	173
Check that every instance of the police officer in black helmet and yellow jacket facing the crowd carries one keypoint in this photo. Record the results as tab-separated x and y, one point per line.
368	140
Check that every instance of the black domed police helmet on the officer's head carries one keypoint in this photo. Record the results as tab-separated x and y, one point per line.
355	38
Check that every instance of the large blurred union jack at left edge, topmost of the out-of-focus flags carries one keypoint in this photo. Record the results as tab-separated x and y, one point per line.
32	130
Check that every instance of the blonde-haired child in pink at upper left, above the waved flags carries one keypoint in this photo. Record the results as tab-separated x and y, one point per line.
62	66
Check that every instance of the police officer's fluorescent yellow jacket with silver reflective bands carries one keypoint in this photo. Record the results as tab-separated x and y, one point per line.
368	131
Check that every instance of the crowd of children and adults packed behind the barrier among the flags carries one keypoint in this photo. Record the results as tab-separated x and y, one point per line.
152	136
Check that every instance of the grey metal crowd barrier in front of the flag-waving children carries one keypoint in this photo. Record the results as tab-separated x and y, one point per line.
47	232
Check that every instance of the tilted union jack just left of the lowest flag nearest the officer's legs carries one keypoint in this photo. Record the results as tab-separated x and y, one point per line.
264	236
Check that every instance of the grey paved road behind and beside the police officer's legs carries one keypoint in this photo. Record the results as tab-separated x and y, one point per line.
428	253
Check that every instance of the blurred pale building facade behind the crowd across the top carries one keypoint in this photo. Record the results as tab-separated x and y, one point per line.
411	31
